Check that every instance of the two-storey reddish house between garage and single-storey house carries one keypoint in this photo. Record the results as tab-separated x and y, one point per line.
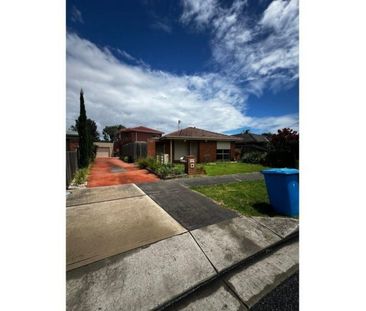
132	142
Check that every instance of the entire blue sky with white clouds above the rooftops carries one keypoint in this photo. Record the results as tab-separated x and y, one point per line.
224	66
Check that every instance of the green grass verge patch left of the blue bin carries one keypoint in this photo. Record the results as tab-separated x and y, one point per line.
247	197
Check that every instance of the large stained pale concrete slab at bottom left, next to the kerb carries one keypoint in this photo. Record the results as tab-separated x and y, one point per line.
142	279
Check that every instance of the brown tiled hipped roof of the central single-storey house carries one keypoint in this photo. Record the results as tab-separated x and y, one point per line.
196	133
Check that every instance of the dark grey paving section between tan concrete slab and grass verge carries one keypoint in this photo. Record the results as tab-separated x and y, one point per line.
191	209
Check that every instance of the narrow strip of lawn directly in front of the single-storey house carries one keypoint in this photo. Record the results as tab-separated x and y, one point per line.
215	169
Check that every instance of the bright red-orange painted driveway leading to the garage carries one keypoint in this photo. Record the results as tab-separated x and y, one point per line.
113	171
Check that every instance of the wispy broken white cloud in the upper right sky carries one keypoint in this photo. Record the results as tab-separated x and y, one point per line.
260	51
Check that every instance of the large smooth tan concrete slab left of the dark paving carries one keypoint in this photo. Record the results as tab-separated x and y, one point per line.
98	230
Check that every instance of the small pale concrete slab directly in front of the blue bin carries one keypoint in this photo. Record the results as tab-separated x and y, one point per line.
283	226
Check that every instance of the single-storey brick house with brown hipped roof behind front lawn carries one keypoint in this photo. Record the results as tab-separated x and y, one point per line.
204	145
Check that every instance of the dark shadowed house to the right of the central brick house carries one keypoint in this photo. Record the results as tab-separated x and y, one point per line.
249	142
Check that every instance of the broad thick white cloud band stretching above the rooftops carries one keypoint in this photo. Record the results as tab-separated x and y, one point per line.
120	93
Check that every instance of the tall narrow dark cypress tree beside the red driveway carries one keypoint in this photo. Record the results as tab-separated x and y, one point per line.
84	143
